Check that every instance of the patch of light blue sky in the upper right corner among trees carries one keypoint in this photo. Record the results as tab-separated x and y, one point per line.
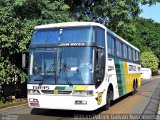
152	12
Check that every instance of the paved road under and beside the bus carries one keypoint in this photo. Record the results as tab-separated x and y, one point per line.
145	101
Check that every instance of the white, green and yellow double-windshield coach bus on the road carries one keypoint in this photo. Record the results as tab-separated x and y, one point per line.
80	66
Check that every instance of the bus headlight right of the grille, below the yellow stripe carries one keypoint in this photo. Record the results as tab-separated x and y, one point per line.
83	92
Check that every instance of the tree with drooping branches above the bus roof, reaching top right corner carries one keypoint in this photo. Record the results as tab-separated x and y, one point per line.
121	13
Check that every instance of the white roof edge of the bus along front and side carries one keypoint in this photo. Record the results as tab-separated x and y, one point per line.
81	24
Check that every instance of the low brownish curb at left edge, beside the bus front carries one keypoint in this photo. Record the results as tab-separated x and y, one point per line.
13	104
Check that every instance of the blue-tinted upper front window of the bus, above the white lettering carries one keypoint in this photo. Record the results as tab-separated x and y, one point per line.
63	35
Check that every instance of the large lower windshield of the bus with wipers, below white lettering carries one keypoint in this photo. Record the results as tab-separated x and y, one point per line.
64	65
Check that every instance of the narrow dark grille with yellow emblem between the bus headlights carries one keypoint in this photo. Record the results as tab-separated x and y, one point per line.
56	92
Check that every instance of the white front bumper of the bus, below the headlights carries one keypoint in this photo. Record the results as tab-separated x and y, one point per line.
63	102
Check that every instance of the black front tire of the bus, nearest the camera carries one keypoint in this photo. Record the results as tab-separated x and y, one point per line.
108	99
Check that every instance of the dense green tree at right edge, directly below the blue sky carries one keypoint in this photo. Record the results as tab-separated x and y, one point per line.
147	36
